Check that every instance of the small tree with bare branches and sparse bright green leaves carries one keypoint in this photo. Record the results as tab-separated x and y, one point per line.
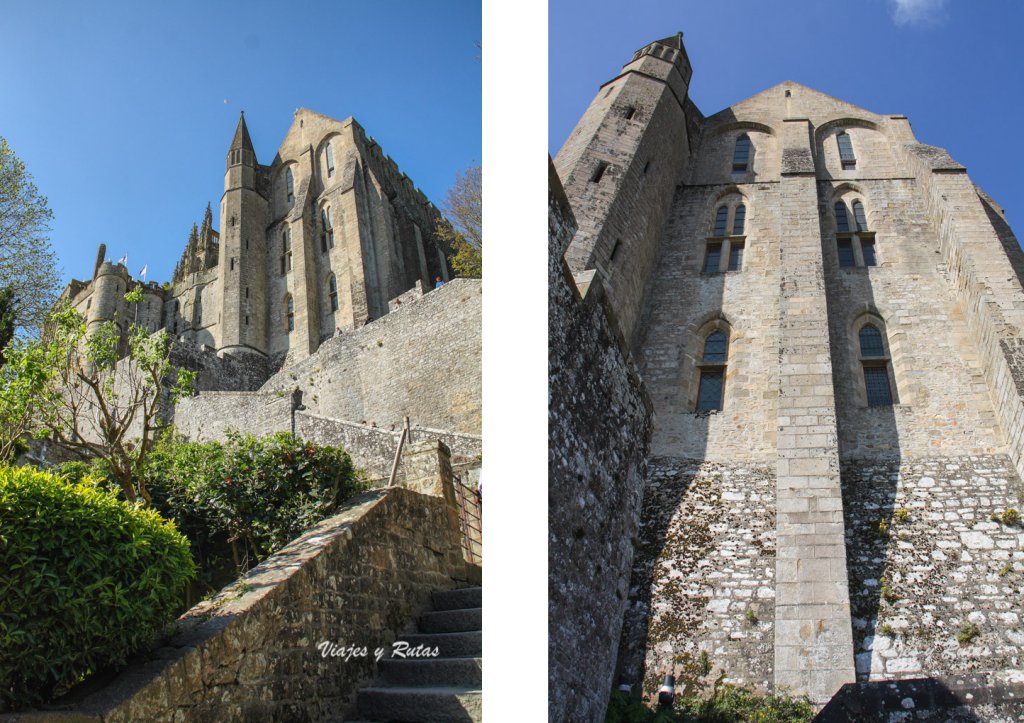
102	400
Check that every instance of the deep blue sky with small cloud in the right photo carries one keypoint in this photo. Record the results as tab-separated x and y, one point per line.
954	68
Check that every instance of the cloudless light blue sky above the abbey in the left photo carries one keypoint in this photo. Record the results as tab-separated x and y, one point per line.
123	111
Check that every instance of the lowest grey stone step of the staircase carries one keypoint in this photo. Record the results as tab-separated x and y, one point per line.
421	705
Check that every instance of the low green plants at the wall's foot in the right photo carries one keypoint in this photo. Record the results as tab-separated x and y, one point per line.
728	705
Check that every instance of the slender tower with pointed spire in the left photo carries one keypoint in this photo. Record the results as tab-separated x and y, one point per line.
242	283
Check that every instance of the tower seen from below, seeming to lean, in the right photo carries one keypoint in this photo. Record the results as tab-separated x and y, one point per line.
621	165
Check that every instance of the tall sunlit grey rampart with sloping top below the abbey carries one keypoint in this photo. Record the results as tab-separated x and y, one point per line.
422	361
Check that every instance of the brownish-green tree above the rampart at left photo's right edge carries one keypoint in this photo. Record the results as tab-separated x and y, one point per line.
462	229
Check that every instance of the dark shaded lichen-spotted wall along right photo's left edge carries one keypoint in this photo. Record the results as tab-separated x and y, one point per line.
600	421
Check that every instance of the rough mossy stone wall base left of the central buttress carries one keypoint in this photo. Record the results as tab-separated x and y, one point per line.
703	590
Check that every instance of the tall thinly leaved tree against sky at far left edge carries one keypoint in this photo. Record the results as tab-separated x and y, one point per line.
28	266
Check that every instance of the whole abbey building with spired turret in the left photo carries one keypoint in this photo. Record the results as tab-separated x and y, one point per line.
317	243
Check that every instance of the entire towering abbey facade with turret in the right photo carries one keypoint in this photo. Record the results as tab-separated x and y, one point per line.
859	303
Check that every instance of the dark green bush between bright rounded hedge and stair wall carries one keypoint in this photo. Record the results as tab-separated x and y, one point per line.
240	502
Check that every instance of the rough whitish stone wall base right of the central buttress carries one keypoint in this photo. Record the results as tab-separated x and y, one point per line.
927	562
